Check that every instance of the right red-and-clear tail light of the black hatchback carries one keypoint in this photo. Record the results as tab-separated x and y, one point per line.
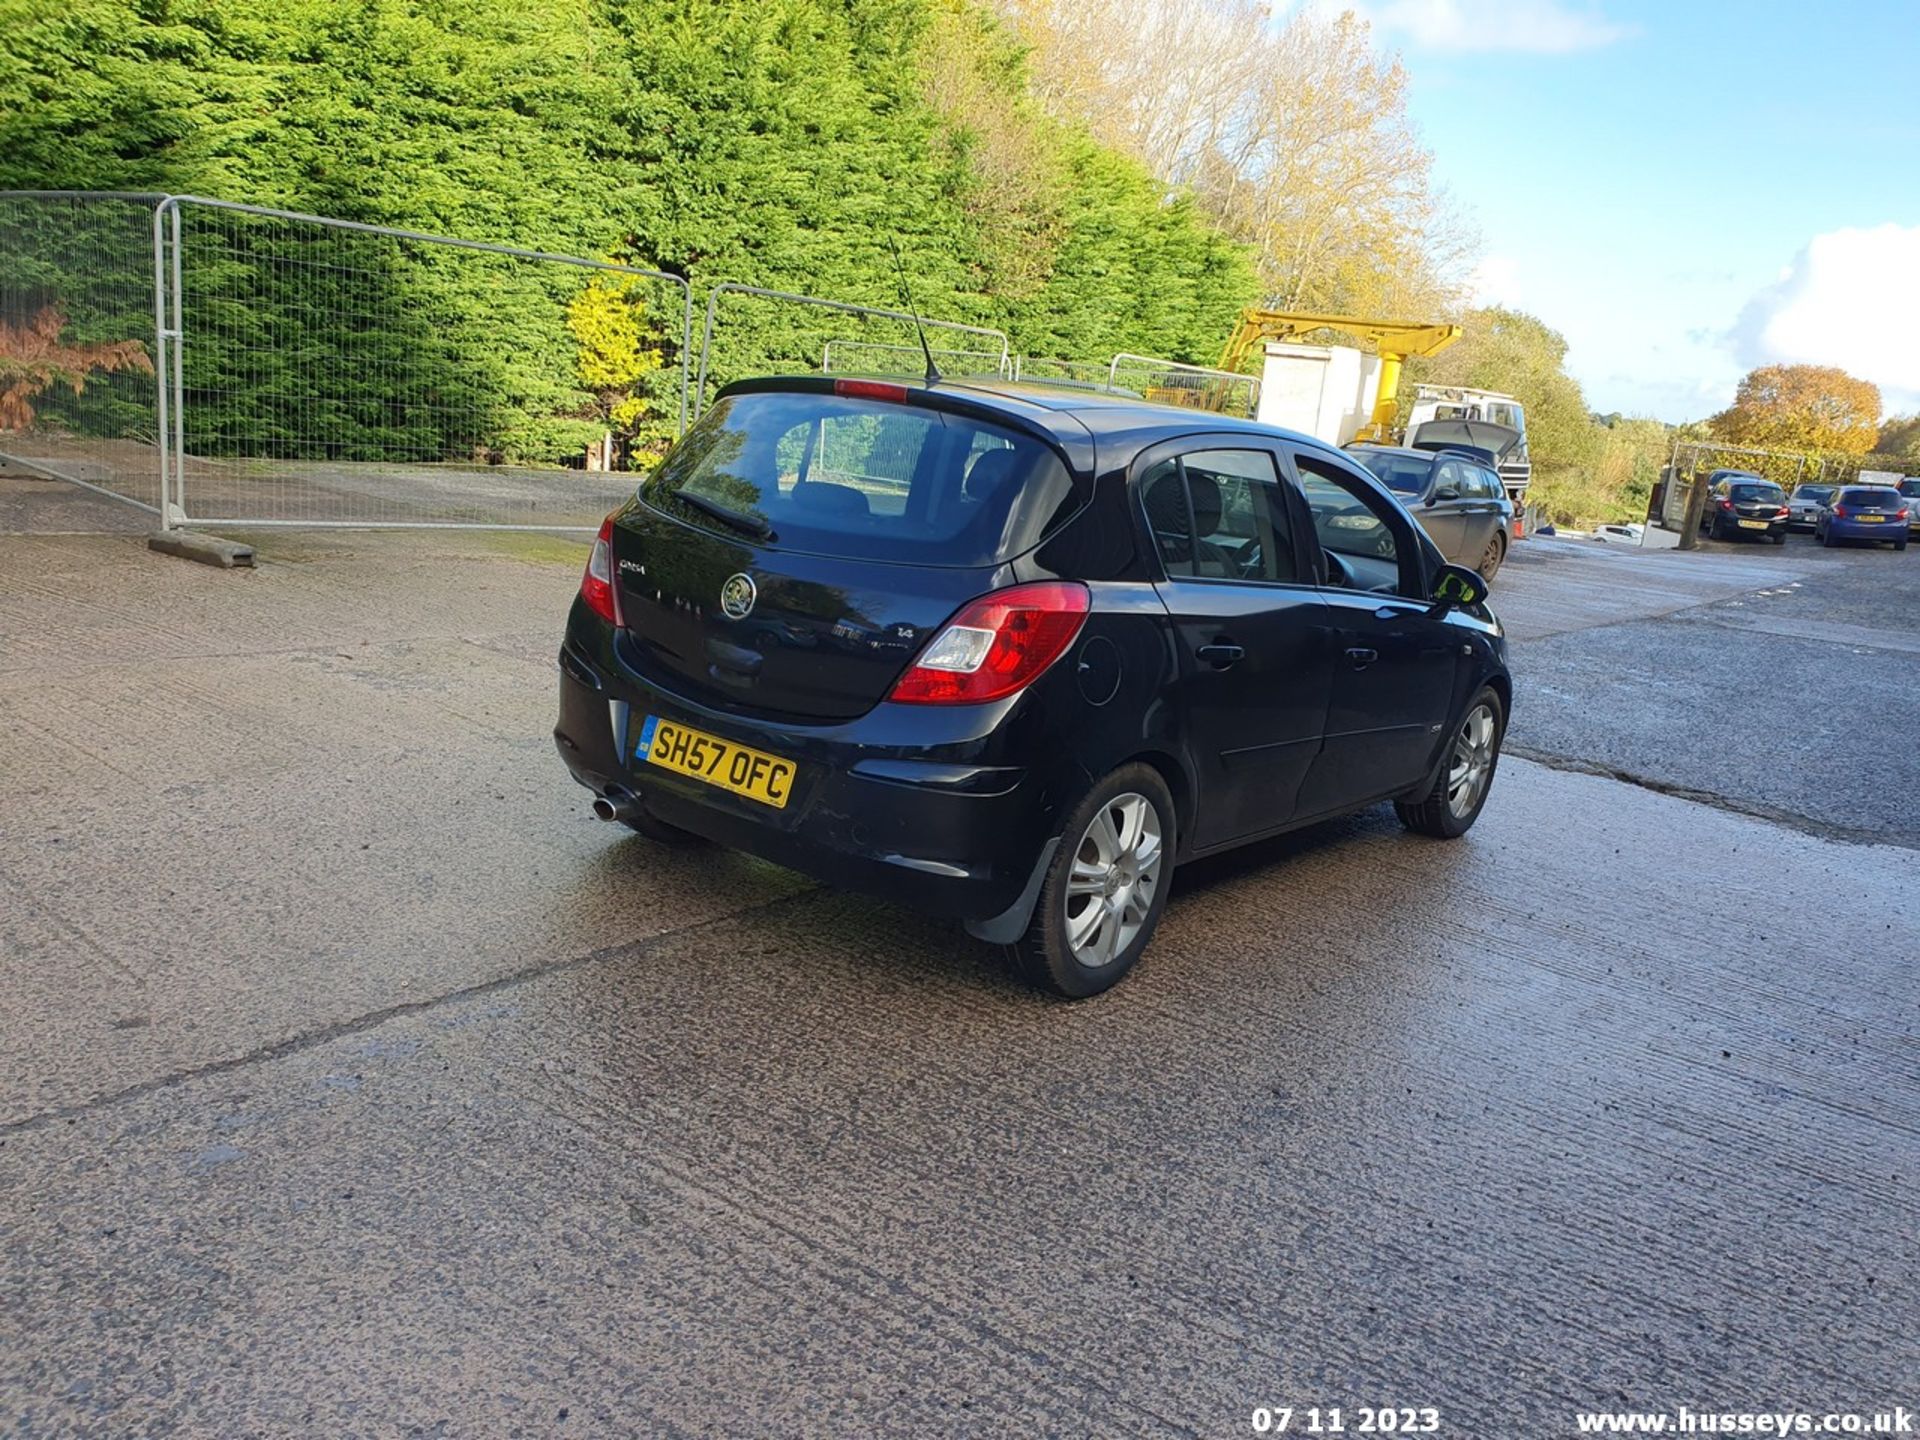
997	646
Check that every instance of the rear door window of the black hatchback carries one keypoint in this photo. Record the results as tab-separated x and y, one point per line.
1220	516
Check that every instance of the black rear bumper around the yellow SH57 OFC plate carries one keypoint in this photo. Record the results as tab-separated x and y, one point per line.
936	828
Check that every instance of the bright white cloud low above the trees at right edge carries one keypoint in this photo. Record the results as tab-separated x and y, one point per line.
1852	299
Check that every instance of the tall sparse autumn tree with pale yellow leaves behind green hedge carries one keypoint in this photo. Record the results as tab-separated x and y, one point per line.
1293	135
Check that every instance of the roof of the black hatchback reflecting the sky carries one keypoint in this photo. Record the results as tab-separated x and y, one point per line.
1068	414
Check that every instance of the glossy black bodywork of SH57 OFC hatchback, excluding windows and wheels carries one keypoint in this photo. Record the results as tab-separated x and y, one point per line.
1335	702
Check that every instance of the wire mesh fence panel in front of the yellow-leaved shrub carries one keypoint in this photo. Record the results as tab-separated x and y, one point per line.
333	373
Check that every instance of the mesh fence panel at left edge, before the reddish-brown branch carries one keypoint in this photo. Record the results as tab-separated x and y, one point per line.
80	362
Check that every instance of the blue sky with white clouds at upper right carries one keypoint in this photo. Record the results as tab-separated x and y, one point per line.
1685	189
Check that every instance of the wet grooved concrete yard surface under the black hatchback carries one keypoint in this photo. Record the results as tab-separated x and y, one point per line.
352	1082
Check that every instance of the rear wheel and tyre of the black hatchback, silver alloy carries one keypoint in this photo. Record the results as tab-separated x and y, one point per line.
1105	888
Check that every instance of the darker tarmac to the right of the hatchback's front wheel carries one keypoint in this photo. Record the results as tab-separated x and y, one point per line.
1790	688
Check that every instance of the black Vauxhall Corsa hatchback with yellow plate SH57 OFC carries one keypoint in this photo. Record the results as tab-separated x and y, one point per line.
1011	654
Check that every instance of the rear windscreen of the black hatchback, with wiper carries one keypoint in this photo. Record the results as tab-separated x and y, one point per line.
857	479
